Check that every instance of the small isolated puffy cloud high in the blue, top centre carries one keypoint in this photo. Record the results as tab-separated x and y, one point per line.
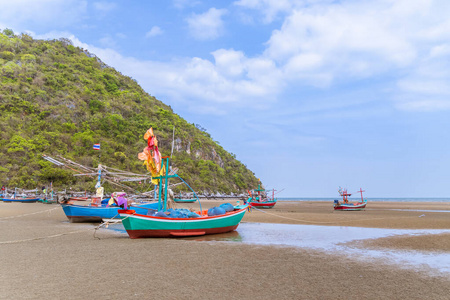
207	26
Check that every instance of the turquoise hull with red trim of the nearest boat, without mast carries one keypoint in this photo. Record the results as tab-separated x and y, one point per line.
142	226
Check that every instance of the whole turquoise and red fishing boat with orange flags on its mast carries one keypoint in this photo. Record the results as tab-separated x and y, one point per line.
166	223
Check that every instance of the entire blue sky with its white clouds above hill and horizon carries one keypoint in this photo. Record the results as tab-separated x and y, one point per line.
310	95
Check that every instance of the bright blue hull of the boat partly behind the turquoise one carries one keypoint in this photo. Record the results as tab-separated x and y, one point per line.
80	214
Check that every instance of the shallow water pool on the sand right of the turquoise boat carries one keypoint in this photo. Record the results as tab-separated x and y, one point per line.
332	239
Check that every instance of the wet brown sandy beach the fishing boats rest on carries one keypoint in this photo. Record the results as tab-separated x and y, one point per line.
43	256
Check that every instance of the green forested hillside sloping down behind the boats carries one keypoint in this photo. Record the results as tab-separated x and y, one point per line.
57	99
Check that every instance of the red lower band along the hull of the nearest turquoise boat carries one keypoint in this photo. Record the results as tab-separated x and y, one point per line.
136	234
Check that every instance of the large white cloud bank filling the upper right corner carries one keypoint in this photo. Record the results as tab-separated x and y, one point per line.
322	45
